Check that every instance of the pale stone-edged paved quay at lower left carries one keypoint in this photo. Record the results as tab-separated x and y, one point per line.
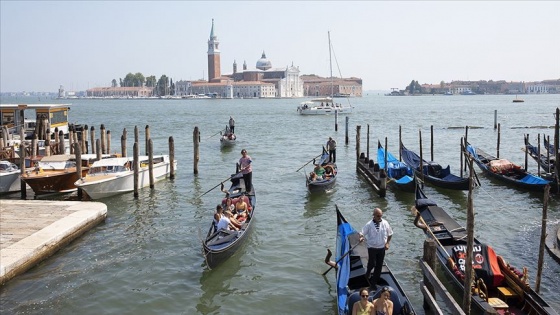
32	230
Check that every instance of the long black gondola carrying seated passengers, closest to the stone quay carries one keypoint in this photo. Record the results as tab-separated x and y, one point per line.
220	245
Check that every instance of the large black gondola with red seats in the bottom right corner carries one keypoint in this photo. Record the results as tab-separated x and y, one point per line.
450	235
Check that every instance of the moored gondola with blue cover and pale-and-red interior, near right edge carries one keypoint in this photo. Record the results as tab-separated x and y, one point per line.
506	171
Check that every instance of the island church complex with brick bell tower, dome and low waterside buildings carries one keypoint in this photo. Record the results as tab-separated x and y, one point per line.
262	82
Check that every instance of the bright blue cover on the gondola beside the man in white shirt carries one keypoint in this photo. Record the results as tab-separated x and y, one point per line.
343	276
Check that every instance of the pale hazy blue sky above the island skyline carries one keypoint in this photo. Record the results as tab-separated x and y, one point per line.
86	44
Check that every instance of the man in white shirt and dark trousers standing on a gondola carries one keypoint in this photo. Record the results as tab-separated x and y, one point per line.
377	233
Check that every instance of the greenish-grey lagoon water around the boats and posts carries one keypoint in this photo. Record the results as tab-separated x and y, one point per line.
147	257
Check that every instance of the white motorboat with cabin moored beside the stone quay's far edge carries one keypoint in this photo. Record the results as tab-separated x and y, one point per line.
112	176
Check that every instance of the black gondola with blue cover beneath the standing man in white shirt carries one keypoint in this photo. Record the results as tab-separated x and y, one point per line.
351	258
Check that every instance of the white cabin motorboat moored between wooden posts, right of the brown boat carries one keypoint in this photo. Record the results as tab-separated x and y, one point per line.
103	186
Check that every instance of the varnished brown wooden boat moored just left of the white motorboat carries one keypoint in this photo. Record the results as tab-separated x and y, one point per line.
53	181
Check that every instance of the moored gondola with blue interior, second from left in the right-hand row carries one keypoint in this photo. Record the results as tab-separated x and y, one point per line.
433	173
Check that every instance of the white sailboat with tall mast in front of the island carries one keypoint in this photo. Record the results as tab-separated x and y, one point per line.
324	105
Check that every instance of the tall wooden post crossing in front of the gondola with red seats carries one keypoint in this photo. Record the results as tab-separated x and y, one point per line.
469	272
